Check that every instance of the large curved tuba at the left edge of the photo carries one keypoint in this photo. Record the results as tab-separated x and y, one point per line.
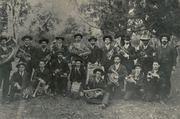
11	51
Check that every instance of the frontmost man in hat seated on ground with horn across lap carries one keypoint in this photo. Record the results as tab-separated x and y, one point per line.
95	87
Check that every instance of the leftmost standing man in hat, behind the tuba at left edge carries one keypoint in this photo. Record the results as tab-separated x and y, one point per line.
5	68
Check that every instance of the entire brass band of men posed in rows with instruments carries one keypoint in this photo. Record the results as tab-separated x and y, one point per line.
140	72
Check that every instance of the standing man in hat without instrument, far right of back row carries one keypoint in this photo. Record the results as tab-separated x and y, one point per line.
167	59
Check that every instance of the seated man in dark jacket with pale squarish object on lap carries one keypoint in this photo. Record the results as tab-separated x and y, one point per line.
77	76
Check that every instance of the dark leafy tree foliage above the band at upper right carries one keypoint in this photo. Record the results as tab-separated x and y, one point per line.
127	16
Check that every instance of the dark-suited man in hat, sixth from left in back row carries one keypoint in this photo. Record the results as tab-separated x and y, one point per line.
96	53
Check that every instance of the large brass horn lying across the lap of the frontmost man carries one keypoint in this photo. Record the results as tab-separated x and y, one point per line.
93	93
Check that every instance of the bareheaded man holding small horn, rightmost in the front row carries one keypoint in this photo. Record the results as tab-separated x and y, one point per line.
152	82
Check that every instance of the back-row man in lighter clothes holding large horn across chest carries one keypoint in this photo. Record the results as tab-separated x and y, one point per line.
79	48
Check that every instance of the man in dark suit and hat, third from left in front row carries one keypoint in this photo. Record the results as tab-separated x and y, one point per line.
60	70
